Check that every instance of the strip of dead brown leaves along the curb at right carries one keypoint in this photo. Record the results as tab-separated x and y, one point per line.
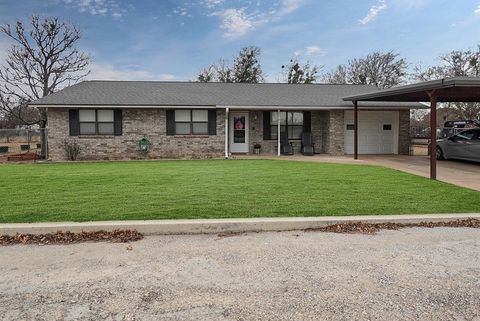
373	228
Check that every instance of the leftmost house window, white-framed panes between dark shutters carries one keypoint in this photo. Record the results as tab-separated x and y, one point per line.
96	121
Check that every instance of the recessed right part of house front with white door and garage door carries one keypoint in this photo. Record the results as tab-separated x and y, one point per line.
384	131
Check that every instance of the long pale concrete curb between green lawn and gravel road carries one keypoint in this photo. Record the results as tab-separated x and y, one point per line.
214	226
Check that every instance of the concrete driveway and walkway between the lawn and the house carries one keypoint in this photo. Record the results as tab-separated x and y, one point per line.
459	173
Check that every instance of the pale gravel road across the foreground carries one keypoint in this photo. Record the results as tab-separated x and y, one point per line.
410	274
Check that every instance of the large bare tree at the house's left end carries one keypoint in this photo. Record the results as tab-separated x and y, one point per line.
42	59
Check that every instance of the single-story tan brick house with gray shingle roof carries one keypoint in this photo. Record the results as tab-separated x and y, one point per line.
201	120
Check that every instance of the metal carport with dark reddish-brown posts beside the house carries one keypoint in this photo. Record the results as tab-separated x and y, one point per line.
457	89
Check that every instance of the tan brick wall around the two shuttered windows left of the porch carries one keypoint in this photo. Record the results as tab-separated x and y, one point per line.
136	124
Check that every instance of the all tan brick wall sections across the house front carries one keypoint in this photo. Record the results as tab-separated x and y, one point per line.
327	132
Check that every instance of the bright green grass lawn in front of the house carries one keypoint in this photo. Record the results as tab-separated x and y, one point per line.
217	189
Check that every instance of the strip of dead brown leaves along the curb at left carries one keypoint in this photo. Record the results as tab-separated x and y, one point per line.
116	236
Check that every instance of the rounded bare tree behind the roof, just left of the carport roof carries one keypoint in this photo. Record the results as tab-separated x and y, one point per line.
383	70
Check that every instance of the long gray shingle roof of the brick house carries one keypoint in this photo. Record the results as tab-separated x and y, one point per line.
158	93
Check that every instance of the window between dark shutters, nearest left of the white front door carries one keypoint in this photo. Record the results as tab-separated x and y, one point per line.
191	122
